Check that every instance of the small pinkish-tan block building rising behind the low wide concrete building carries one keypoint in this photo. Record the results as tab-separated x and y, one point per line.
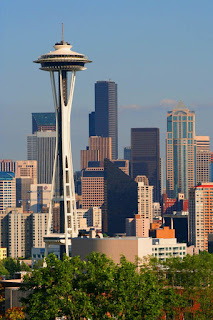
137	226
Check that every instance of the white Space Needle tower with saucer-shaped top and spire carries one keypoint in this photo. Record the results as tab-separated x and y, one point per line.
63	61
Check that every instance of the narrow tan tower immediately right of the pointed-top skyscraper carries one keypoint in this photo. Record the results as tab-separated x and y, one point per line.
203	159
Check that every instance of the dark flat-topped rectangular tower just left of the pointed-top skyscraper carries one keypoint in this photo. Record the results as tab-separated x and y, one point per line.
145	156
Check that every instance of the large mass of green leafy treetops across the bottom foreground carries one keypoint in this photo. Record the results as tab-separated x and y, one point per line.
97	288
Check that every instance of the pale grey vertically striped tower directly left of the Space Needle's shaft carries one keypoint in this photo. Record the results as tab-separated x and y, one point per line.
41	147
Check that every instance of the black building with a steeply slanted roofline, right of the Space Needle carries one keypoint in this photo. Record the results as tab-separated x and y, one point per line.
120	199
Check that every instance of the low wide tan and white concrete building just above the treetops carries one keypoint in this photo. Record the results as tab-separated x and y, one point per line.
130	247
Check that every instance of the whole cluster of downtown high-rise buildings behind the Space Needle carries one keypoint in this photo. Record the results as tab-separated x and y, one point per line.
123	199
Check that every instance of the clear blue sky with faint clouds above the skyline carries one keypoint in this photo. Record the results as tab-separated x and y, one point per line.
158	52
